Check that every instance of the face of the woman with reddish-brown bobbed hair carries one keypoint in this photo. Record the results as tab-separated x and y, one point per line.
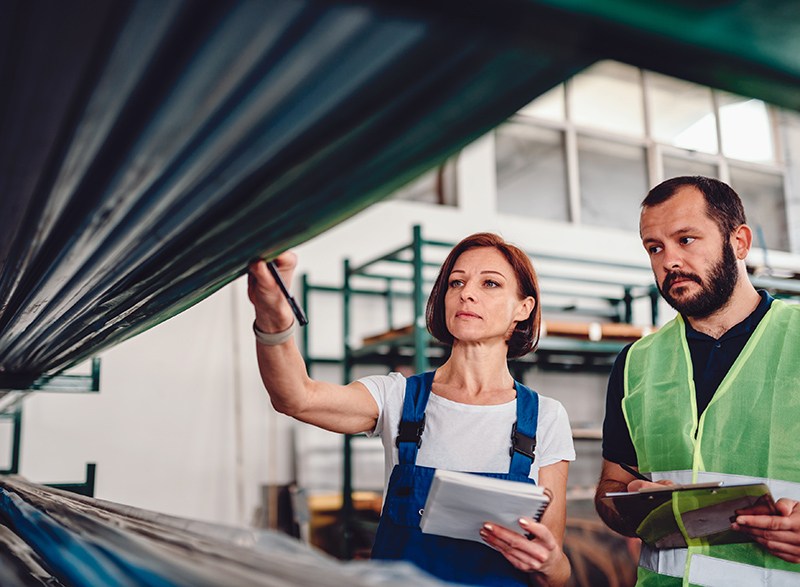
482	301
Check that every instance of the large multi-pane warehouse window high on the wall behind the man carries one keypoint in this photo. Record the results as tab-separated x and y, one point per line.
588	150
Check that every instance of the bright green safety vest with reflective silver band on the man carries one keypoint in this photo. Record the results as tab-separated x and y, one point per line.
750	432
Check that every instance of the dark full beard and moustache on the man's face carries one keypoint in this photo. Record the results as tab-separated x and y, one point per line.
713	295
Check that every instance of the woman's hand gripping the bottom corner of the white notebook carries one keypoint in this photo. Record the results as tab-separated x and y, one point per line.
535	552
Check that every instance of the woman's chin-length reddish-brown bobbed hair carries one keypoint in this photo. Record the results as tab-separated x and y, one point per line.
526	334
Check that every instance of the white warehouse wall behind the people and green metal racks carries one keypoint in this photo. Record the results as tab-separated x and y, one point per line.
165	430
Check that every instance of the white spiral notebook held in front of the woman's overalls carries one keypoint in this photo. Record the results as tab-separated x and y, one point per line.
459	504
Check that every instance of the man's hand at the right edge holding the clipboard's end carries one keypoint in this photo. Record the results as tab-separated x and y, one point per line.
780	534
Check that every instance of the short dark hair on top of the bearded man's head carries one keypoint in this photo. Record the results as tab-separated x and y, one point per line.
723	205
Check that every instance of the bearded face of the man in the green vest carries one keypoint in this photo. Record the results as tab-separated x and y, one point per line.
694	266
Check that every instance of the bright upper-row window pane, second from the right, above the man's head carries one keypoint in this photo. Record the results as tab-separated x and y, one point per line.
682	114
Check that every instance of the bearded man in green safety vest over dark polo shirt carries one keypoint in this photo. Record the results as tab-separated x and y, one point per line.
714	395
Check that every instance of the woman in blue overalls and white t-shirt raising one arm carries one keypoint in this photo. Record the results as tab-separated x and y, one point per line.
485	303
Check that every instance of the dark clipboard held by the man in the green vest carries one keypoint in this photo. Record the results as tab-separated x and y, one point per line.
690	515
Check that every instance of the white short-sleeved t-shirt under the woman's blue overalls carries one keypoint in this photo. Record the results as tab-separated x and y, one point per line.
464	437
